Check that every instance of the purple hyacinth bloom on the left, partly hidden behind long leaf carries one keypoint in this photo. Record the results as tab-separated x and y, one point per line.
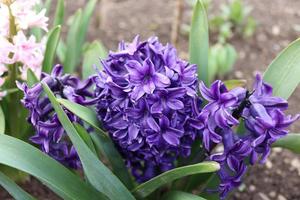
50	134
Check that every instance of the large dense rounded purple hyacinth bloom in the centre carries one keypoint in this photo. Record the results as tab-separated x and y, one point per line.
147	101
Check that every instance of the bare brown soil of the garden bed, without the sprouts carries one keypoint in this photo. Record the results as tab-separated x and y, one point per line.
115	20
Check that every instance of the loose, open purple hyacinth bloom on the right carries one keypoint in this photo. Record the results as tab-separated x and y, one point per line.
264	120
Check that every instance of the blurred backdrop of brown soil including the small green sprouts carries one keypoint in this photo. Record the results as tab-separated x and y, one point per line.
245	36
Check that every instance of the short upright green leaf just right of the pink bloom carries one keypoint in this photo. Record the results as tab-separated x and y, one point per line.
52	42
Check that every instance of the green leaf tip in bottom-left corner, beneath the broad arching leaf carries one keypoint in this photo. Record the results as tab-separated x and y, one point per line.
13	189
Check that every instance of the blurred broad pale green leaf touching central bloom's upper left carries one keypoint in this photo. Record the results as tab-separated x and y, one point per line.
91	58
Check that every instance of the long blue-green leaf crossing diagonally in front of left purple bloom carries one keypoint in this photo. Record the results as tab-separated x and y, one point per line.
97	173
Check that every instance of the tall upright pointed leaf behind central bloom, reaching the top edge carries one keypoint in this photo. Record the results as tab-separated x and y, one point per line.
199	41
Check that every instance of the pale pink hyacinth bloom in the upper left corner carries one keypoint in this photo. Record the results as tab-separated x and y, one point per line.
17	16
